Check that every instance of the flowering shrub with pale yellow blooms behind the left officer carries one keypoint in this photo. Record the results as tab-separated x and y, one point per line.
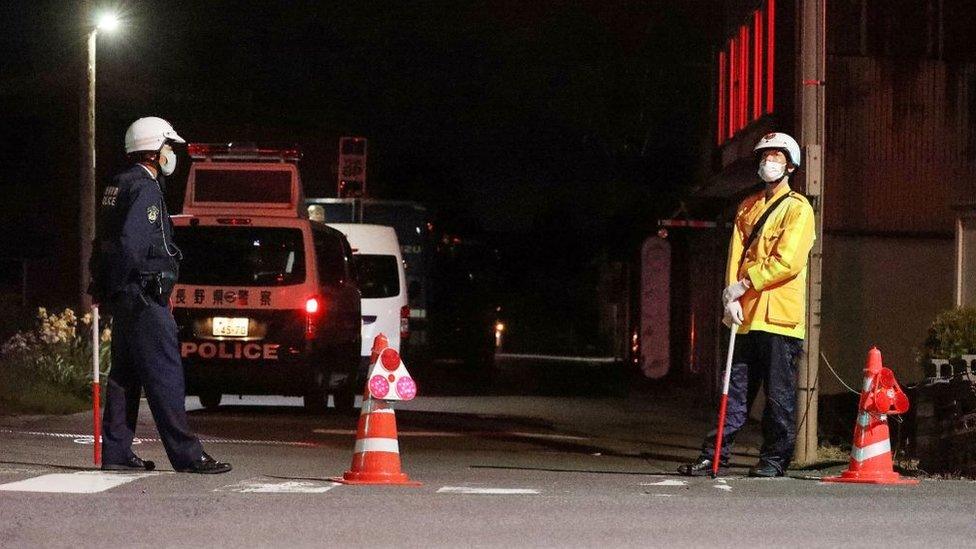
55	353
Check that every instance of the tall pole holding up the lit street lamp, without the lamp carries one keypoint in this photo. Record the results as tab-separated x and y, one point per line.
86	206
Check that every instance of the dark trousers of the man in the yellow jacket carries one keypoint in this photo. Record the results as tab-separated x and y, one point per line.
767	360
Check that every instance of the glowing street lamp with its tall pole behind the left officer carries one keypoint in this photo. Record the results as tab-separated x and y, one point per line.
107	22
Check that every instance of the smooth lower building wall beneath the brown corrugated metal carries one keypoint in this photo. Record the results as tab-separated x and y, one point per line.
881	291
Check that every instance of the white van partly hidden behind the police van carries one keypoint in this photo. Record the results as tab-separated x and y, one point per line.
382	284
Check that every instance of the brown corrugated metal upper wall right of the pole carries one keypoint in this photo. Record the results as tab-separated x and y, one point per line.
901	144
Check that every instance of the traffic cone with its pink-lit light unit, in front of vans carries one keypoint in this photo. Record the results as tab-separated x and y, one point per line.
376	457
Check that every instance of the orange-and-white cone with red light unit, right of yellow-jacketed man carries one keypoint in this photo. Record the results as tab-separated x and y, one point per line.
871	461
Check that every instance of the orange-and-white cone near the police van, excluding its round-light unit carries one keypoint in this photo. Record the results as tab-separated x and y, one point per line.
376	457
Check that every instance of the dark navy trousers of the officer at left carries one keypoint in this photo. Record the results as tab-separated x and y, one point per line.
145	355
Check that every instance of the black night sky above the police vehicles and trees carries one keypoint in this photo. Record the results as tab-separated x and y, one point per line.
580	119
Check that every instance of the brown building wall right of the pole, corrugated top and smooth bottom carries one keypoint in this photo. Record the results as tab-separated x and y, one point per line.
901	151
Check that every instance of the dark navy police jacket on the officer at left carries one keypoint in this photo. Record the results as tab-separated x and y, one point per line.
134	235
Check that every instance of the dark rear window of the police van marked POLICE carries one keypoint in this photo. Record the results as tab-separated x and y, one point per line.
241	256
